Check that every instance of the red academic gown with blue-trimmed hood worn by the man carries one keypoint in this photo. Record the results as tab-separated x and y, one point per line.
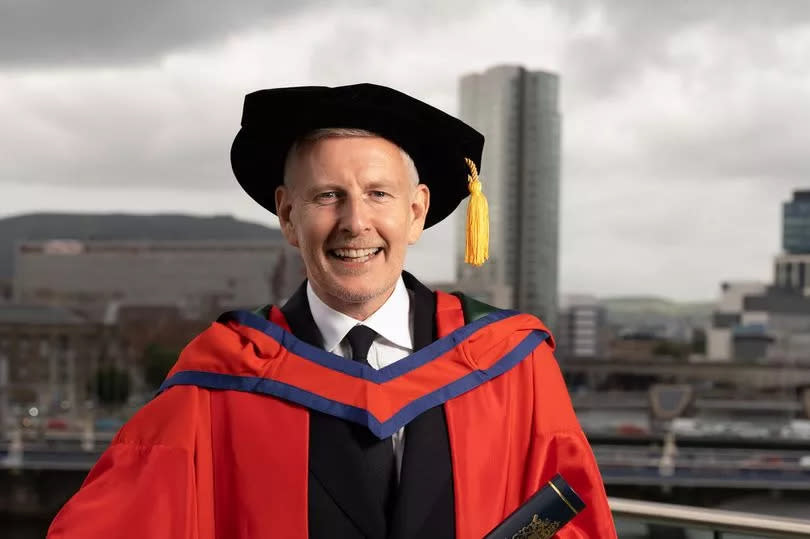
222	452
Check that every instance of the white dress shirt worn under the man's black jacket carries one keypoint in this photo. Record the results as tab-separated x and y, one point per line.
393	322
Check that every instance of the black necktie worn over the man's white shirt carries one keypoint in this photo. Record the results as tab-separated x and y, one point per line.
379	454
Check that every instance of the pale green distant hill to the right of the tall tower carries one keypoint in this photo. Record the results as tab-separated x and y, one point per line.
631	310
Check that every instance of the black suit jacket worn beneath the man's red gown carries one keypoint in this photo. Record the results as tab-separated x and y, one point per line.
339	505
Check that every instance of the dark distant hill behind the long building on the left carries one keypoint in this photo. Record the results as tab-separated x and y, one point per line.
45	226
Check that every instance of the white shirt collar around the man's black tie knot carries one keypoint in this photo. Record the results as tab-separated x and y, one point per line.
391	321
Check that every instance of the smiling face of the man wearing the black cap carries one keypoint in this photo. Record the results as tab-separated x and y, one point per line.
352	209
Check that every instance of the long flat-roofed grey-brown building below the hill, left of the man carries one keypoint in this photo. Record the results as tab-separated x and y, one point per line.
199	277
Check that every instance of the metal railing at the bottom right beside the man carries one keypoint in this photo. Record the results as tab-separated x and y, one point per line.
720	522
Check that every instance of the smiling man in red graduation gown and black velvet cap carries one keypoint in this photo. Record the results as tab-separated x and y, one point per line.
367	406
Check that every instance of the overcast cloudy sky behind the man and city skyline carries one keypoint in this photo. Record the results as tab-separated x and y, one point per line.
686	124
